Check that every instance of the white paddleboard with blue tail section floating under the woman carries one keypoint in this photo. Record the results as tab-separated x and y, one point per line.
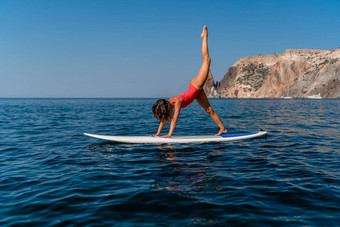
179	139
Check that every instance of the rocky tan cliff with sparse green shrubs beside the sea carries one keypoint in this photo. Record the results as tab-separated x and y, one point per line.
296	73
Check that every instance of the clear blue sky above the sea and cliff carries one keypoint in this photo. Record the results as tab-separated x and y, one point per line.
57	48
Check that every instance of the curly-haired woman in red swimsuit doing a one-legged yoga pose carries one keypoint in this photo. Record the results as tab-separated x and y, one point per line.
163	110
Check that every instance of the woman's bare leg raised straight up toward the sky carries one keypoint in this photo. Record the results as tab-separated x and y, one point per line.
202	75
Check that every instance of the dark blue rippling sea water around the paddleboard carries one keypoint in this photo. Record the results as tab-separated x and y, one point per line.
53	175
